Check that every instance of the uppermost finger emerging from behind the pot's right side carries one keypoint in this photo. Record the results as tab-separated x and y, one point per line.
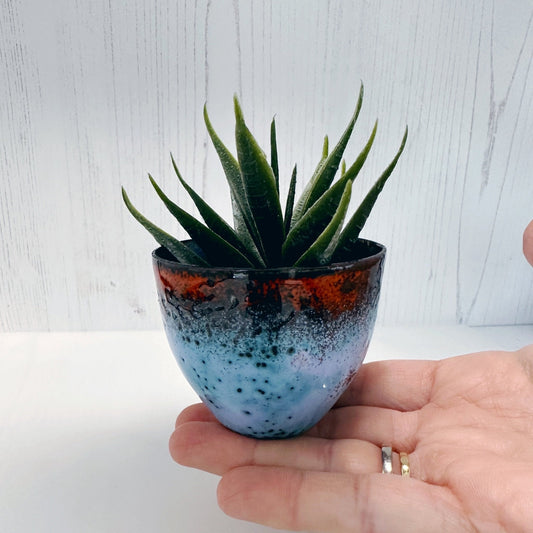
401	385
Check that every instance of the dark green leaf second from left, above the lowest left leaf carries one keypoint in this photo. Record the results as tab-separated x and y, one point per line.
217	250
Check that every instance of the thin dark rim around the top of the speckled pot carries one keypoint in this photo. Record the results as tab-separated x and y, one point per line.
377	252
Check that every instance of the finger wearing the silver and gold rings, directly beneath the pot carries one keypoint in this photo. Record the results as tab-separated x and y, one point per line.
213	448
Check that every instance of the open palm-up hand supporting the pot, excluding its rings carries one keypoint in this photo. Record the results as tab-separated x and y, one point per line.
466	423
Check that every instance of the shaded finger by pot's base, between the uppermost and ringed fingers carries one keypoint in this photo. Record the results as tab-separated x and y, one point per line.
382	427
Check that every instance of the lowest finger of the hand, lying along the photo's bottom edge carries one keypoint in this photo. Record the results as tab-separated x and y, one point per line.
286	498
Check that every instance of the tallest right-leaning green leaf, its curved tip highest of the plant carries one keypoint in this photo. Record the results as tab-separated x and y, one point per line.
326	170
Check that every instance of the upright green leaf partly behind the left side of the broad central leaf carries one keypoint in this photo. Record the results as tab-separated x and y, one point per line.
244	222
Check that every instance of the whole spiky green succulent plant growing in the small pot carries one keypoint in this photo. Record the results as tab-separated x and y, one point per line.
308	232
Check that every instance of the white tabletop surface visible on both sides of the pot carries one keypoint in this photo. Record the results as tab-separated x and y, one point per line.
85	420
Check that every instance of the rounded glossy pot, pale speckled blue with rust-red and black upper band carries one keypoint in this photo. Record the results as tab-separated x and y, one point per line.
270	351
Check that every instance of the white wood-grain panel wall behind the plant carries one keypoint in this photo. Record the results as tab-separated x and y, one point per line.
95	94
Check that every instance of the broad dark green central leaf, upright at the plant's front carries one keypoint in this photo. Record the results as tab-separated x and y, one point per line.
260	186
